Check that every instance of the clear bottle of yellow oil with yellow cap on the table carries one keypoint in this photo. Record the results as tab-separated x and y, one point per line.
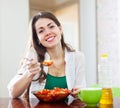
106	81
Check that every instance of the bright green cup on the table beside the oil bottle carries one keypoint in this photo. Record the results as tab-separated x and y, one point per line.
91	96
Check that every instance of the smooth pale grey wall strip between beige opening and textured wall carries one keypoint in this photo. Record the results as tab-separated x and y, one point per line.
88	38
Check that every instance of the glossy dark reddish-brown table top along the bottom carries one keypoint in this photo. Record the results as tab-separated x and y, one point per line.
20	103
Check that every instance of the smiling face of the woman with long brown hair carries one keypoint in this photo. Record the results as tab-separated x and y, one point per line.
48	32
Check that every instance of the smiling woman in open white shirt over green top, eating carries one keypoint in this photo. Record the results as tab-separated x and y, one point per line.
47	43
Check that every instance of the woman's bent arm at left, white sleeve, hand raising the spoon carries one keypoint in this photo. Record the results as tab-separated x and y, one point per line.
21	82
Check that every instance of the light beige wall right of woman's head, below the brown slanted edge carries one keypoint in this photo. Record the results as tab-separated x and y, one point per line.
69	17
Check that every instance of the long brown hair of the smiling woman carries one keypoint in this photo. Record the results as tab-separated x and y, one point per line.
40	49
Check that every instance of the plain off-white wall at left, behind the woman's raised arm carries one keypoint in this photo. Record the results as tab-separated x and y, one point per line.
14	15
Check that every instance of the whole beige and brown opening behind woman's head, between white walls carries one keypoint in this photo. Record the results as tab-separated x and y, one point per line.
63	9
